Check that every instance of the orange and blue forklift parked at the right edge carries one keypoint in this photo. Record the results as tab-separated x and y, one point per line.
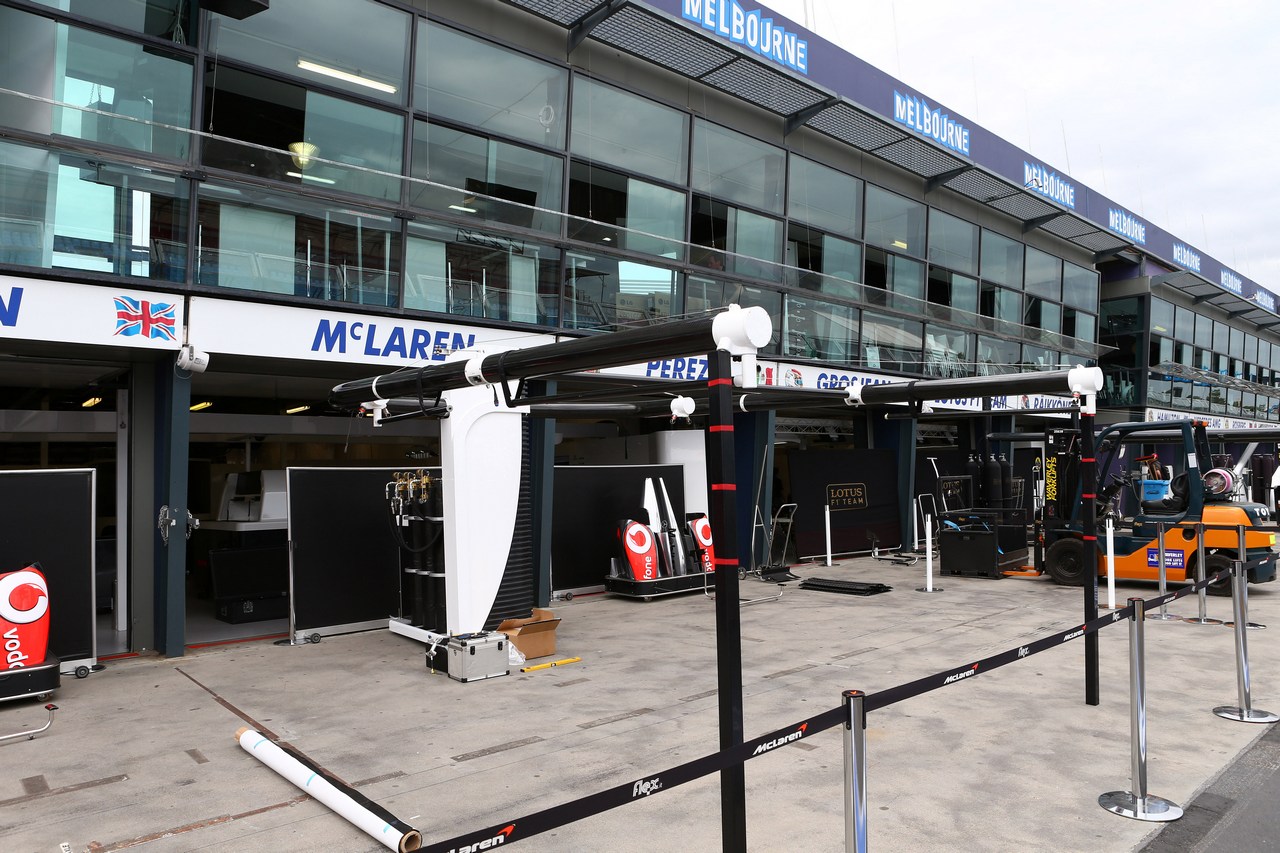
1213	498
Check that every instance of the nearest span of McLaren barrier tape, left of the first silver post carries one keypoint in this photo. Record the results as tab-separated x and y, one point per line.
556	816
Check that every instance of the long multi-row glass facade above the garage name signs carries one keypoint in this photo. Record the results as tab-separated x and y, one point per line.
410	166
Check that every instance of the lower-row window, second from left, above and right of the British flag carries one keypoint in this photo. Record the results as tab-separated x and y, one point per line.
287	244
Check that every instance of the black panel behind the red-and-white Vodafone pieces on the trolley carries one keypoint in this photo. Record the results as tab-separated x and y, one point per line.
588	504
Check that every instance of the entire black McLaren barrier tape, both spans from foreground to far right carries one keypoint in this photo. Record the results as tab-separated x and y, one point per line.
522	828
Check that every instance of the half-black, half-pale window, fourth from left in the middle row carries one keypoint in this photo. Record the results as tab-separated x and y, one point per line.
625	212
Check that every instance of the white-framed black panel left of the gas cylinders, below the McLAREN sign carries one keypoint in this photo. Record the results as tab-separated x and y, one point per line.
345	565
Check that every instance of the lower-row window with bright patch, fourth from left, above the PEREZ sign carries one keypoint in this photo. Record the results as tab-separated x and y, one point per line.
604	293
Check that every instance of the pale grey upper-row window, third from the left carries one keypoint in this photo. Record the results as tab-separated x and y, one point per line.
500	92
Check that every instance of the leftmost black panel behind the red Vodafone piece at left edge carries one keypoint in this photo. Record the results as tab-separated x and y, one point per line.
48	518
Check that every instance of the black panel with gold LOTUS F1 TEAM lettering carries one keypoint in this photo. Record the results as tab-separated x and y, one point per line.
875	512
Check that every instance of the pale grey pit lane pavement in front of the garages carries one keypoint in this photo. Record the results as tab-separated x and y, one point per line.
143	755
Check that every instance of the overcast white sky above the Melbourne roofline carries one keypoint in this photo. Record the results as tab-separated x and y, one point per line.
1171	108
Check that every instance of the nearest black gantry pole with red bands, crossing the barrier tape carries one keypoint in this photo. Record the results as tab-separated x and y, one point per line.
729	624
